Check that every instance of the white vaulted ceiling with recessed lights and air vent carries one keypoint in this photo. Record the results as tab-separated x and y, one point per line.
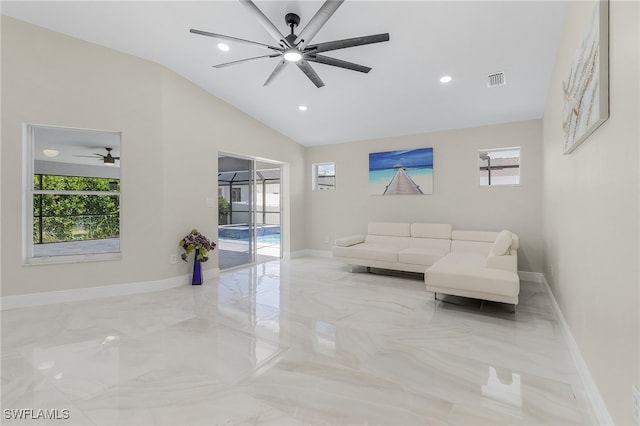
402	94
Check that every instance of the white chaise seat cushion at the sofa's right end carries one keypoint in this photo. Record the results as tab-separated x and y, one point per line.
467	272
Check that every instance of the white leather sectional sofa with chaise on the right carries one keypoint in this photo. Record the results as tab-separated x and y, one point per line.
476	264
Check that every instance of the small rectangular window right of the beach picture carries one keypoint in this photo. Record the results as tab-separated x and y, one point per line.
499	166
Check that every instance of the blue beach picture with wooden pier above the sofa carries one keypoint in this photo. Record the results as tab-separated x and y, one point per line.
402	172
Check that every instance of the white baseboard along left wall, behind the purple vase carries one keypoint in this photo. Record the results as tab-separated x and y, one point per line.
79	294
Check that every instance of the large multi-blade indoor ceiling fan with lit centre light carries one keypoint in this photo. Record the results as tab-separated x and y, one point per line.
296	48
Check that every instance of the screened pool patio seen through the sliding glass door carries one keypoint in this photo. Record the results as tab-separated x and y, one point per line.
249	211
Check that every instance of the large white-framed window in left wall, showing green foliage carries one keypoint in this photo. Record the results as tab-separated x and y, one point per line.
73	195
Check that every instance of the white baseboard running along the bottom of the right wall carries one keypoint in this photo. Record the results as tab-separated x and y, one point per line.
597	402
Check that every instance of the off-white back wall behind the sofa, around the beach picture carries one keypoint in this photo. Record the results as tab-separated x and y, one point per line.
457	196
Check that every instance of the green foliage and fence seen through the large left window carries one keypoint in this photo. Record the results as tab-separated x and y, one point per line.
72	208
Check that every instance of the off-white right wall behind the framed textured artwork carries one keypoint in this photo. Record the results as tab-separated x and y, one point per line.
591	213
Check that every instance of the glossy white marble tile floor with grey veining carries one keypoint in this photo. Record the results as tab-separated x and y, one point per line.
293	342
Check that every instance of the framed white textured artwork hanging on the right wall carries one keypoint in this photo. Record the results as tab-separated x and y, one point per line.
586	87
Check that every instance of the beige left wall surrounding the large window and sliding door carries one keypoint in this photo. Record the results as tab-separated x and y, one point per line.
171	134
